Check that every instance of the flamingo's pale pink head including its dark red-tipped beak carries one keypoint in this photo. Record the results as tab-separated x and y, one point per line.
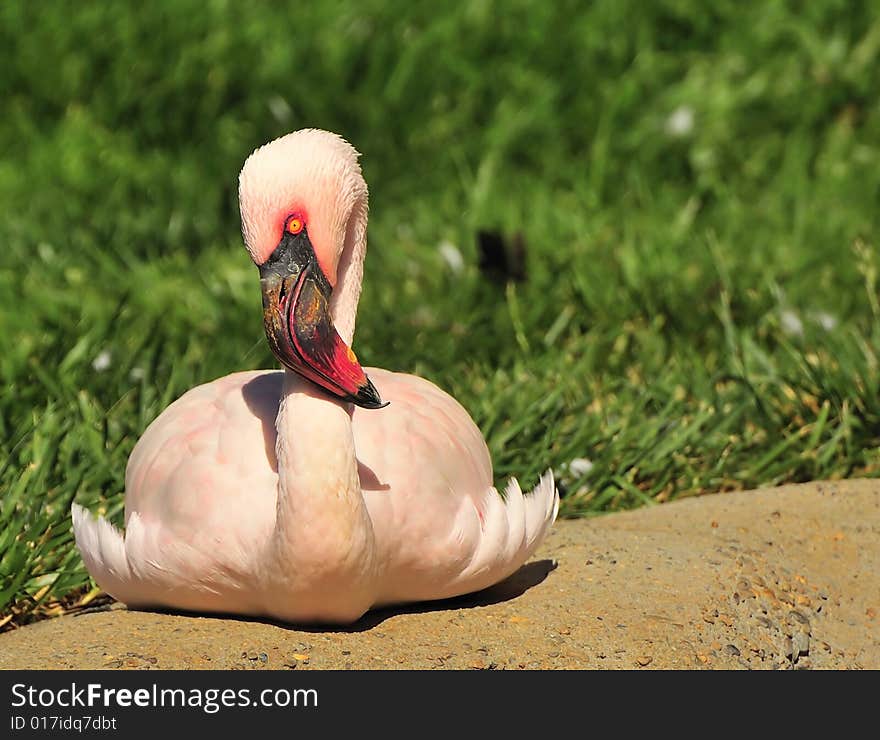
303	212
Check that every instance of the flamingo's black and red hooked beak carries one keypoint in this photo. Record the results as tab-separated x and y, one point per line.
300	331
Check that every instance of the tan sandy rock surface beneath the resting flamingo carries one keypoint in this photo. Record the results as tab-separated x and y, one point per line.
777	578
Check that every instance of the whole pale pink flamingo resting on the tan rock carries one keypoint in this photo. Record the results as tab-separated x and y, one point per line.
314	493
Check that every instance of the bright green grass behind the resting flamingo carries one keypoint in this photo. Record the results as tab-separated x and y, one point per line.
700	311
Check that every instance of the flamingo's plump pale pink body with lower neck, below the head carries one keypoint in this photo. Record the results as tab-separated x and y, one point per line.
259	494
